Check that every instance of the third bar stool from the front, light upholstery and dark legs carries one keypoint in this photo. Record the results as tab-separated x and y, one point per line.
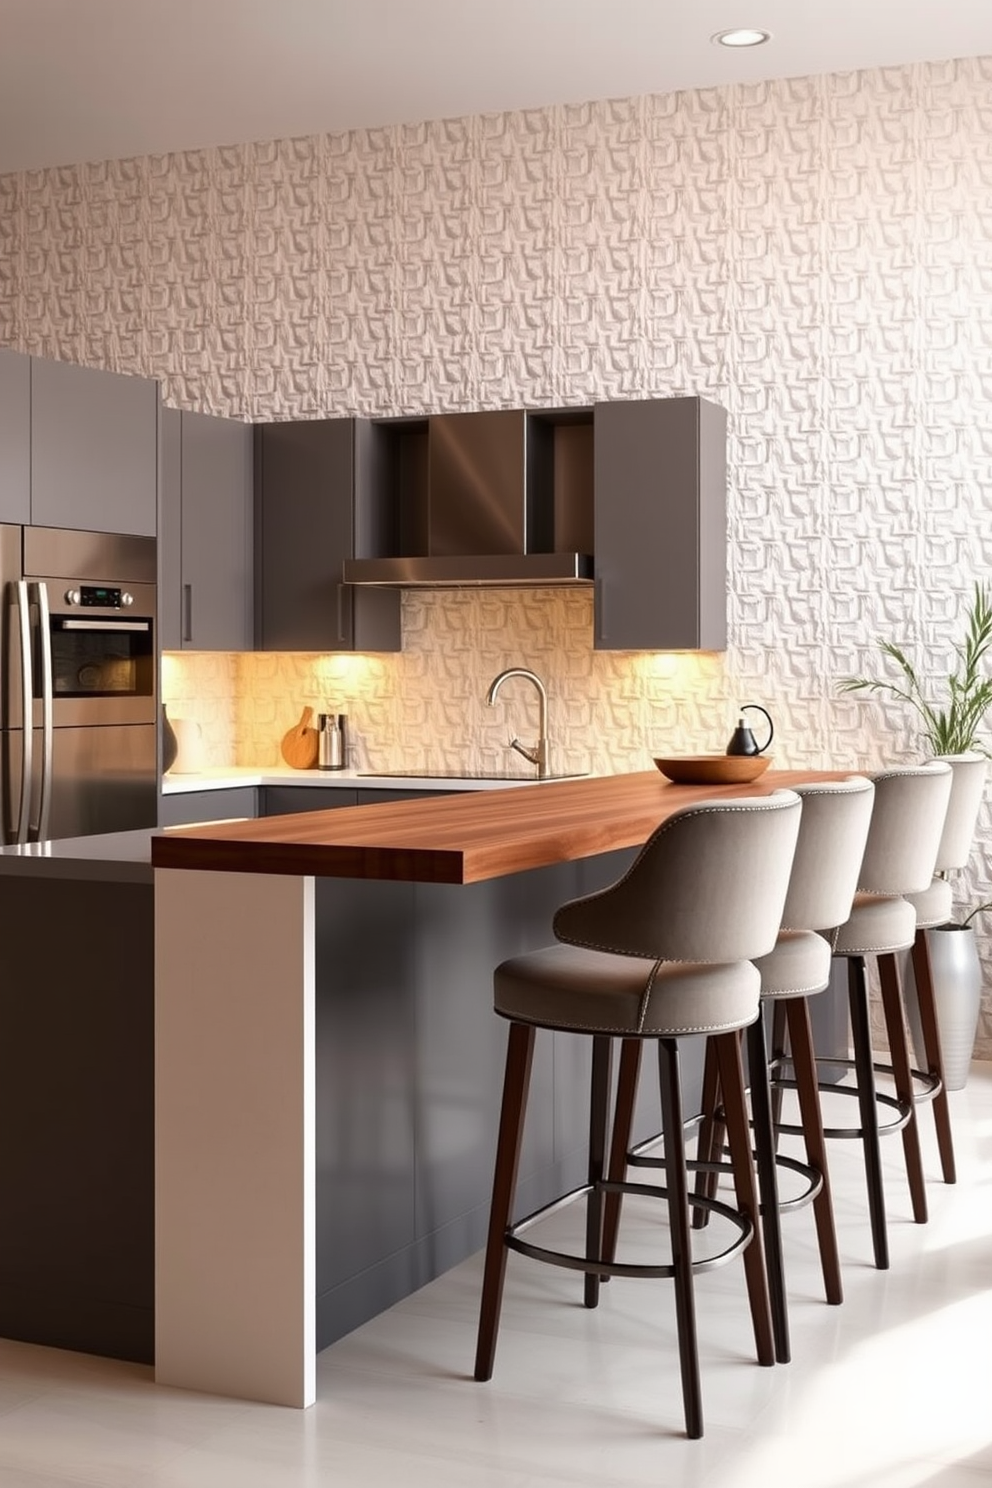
908	818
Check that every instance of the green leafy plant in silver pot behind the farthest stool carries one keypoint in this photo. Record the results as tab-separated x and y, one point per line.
951	730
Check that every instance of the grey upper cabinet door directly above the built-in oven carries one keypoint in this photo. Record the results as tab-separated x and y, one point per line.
94	450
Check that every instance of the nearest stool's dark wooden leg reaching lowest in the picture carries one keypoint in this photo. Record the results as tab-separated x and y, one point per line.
677	1187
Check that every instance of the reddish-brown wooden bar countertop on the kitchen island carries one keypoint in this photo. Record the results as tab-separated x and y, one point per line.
456	840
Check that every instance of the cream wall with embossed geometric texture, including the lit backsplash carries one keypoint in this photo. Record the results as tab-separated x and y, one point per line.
816	255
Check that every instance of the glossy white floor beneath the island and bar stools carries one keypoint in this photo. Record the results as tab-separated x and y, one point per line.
892	1391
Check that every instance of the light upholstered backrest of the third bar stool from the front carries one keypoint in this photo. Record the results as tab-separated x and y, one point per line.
911	806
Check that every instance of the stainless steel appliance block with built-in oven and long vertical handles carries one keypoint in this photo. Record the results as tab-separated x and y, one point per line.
81	663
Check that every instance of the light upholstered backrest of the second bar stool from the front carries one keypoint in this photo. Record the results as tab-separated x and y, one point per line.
832	837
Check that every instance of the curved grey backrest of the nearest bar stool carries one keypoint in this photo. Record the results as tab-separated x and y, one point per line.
709	886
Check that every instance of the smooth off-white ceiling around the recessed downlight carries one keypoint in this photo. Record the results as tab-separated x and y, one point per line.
100	80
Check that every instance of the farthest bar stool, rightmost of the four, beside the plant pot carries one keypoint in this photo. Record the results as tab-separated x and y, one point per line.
935	907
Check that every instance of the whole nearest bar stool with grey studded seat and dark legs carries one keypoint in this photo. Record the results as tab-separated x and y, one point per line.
663	953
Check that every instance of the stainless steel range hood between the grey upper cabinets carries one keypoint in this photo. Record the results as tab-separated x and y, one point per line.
487	511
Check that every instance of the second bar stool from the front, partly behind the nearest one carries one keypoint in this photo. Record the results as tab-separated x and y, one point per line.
832	838
